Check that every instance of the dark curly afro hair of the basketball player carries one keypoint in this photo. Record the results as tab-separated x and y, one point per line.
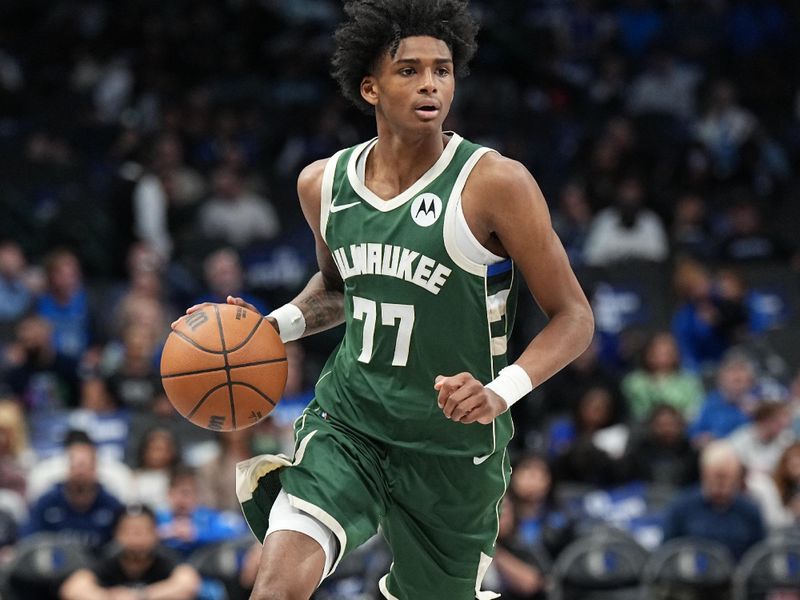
375	27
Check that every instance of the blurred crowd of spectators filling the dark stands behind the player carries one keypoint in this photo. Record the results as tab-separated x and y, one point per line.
148	154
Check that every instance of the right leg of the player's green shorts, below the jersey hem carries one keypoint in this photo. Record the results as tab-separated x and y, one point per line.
443	525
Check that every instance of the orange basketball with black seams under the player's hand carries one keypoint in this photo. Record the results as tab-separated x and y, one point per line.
223	367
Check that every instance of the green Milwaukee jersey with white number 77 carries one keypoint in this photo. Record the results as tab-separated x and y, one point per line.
415	307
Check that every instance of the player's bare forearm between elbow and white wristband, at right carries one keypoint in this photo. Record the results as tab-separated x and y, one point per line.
568	333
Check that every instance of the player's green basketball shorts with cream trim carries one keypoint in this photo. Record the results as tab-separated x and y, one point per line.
438	514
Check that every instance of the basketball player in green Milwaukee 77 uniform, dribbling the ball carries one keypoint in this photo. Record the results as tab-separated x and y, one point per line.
422	238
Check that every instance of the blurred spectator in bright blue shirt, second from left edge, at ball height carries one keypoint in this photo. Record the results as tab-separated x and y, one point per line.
66	304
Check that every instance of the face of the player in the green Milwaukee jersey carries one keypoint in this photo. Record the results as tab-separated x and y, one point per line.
415	87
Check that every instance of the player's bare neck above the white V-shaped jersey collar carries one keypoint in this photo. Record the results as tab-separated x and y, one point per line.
398	160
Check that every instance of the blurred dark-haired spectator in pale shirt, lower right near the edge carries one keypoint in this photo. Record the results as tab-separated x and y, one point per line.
761	443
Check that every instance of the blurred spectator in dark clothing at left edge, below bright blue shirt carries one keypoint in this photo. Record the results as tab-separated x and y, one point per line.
40	376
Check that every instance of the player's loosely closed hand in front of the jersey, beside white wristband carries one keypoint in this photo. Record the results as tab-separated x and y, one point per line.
464	399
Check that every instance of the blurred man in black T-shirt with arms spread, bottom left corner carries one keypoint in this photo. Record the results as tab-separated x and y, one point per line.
137	568
